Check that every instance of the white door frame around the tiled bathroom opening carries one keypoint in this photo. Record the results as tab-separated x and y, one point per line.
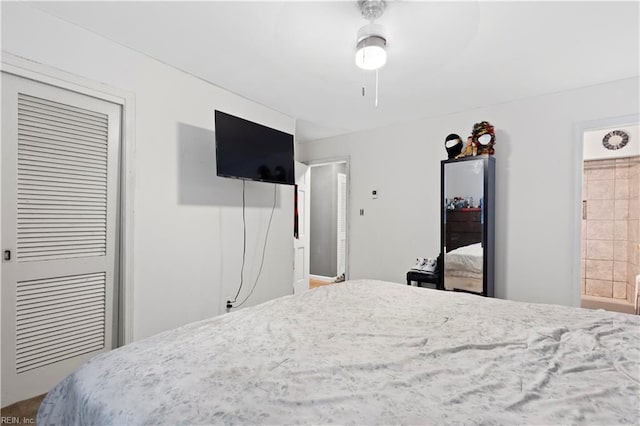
578	165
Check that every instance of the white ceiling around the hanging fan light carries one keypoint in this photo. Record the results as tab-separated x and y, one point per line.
443	57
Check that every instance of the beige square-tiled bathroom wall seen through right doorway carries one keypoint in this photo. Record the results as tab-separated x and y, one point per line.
610	231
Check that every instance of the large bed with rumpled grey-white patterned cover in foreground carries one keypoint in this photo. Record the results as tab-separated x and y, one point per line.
368	352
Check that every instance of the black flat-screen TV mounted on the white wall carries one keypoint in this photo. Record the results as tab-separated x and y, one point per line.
248	150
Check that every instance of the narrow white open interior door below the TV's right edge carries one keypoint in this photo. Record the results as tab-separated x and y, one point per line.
301	244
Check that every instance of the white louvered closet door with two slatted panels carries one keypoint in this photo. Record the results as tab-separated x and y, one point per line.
60	153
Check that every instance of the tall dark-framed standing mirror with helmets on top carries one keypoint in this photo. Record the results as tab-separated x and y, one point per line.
467	224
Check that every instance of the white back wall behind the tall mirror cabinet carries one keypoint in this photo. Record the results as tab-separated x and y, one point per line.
535	153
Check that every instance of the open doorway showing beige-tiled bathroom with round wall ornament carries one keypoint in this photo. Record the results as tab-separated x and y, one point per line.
610	231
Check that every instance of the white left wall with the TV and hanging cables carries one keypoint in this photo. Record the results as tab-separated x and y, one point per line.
188	223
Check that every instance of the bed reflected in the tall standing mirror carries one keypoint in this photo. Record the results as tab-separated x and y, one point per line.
463	268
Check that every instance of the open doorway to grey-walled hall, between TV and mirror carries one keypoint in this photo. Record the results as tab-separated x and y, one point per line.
328	223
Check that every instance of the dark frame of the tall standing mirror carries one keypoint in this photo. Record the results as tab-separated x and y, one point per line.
488	224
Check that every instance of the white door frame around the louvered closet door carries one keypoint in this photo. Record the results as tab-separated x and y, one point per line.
46	74
